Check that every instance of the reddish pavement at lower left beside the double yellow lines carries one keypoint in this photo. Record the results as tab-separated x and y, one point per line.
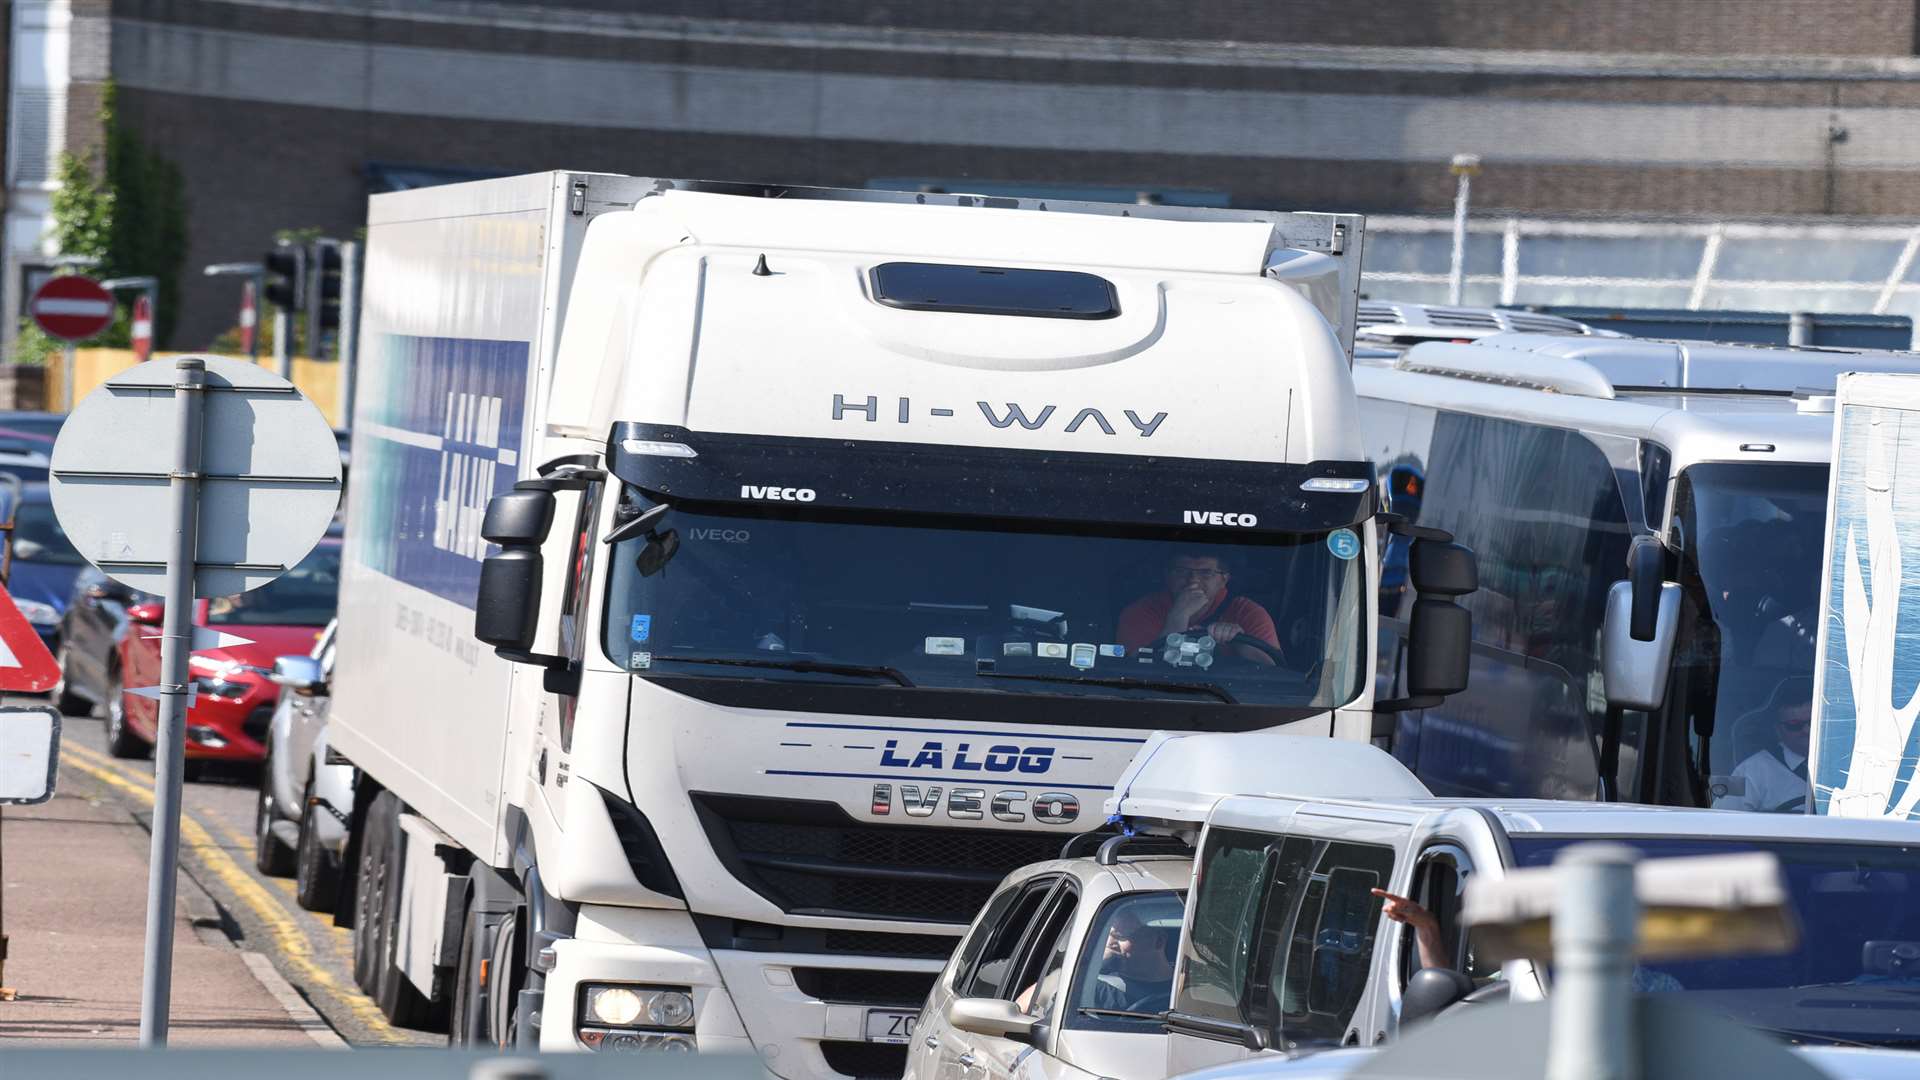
76	916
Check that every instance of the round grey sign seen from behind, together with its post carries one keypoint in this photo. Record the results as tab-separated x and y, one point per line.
251	485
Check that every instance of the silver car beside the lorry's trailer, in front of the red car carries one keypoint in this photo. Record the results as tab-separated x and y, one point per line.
299	825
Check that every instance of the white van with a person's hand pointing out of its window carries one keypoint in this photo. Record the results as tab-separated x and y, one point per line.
1287	948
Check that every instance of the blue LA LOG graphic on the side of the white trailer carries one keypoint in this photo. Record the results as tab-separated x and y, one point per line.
439	437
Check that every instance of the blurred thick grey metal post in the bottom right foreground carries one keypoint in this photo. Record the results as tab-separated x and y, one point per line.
1596	923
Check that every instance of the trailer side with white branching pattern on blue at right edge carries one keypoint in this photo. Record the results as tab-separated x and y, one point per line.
1867	687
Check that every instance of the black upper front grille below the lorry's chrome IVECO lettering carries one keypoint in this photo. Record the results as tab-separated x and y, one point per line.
817	860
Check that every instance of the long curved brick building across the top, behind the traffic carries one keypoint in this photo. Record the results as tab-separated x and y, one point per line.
289	112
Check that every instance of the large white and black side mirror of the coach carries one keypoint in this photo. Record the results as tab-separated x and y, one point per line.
1637	641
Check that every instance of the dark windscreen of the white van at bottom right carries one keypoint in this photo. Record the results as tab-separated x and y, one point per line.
1856	970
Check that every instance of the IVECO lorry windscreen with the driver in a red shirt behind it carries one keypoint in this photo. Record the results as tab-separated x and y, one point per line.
757	595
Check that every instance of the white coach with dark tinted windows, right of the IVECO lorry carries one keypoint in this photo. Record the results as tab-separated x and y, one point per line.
1648	520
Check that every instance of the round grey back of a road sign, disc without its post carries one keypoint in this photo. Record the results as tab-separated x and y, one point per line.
270	478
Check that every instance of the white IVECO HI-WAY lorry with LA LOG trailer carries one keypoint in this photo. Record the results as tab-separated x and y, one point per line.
830	554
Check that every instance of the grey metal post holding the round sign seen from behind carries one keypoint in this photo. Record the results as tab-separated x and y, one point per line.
170	752
